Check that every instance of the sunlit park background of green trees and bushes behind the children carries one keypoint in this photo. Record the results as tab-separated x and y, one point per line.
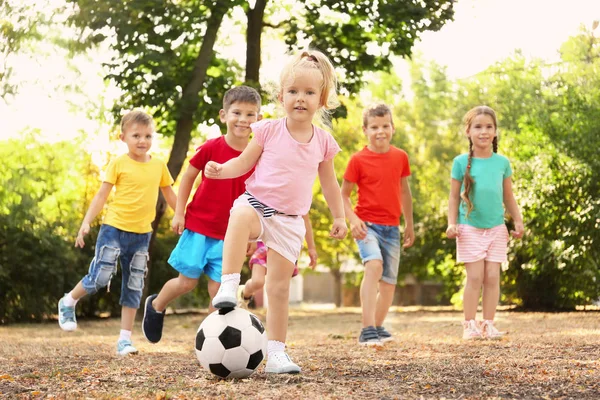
70	69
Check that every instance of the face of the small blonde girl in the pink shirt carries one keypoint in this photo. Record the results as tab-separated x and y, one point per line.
301	97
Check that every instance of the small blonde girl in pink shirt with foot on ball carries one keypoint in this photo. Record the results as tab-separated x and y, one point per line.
287	153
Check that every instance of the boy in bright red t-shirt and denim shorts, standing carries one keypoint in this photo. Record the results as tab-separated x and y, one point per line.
380	171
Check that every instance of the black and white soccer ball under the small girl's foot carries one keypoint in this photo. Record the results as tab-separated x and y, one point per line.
231	343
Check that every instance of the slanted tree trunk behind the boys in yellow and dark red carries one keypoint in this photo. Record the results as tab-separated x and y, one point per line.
190	100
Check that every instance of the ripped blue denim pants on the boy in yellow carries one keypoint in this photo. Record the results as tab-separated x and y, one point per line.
132	251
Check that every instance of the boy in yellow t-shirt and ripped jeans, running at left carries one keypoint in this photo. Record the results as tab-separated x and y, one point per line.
126	230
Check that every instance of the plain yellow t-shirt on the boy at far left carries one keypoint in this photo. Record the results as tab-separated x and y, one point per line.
134	204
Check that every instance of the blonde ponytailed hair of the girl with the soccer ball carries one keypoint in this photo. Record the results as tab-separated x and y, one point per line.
314	59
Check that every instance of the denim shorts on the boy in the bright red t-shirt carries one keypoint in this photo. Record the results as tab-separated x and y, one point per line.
382	243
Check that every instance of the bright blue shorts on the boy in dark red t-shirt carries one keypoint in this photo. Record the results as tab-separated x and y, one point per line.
196	254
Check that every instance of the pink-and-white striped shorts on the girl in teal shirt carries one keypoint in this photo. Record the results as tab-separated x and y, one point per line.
474	244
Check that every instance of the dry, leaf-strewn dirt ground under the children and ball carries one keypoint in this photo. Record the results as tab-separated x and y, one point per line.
546	356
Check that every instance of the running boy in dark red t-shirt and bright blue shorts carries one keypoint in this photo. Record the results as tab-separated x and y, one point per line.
202	228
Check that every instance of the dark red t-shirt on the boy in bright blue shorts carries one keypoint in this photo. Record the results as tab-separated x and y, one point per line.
208	212
